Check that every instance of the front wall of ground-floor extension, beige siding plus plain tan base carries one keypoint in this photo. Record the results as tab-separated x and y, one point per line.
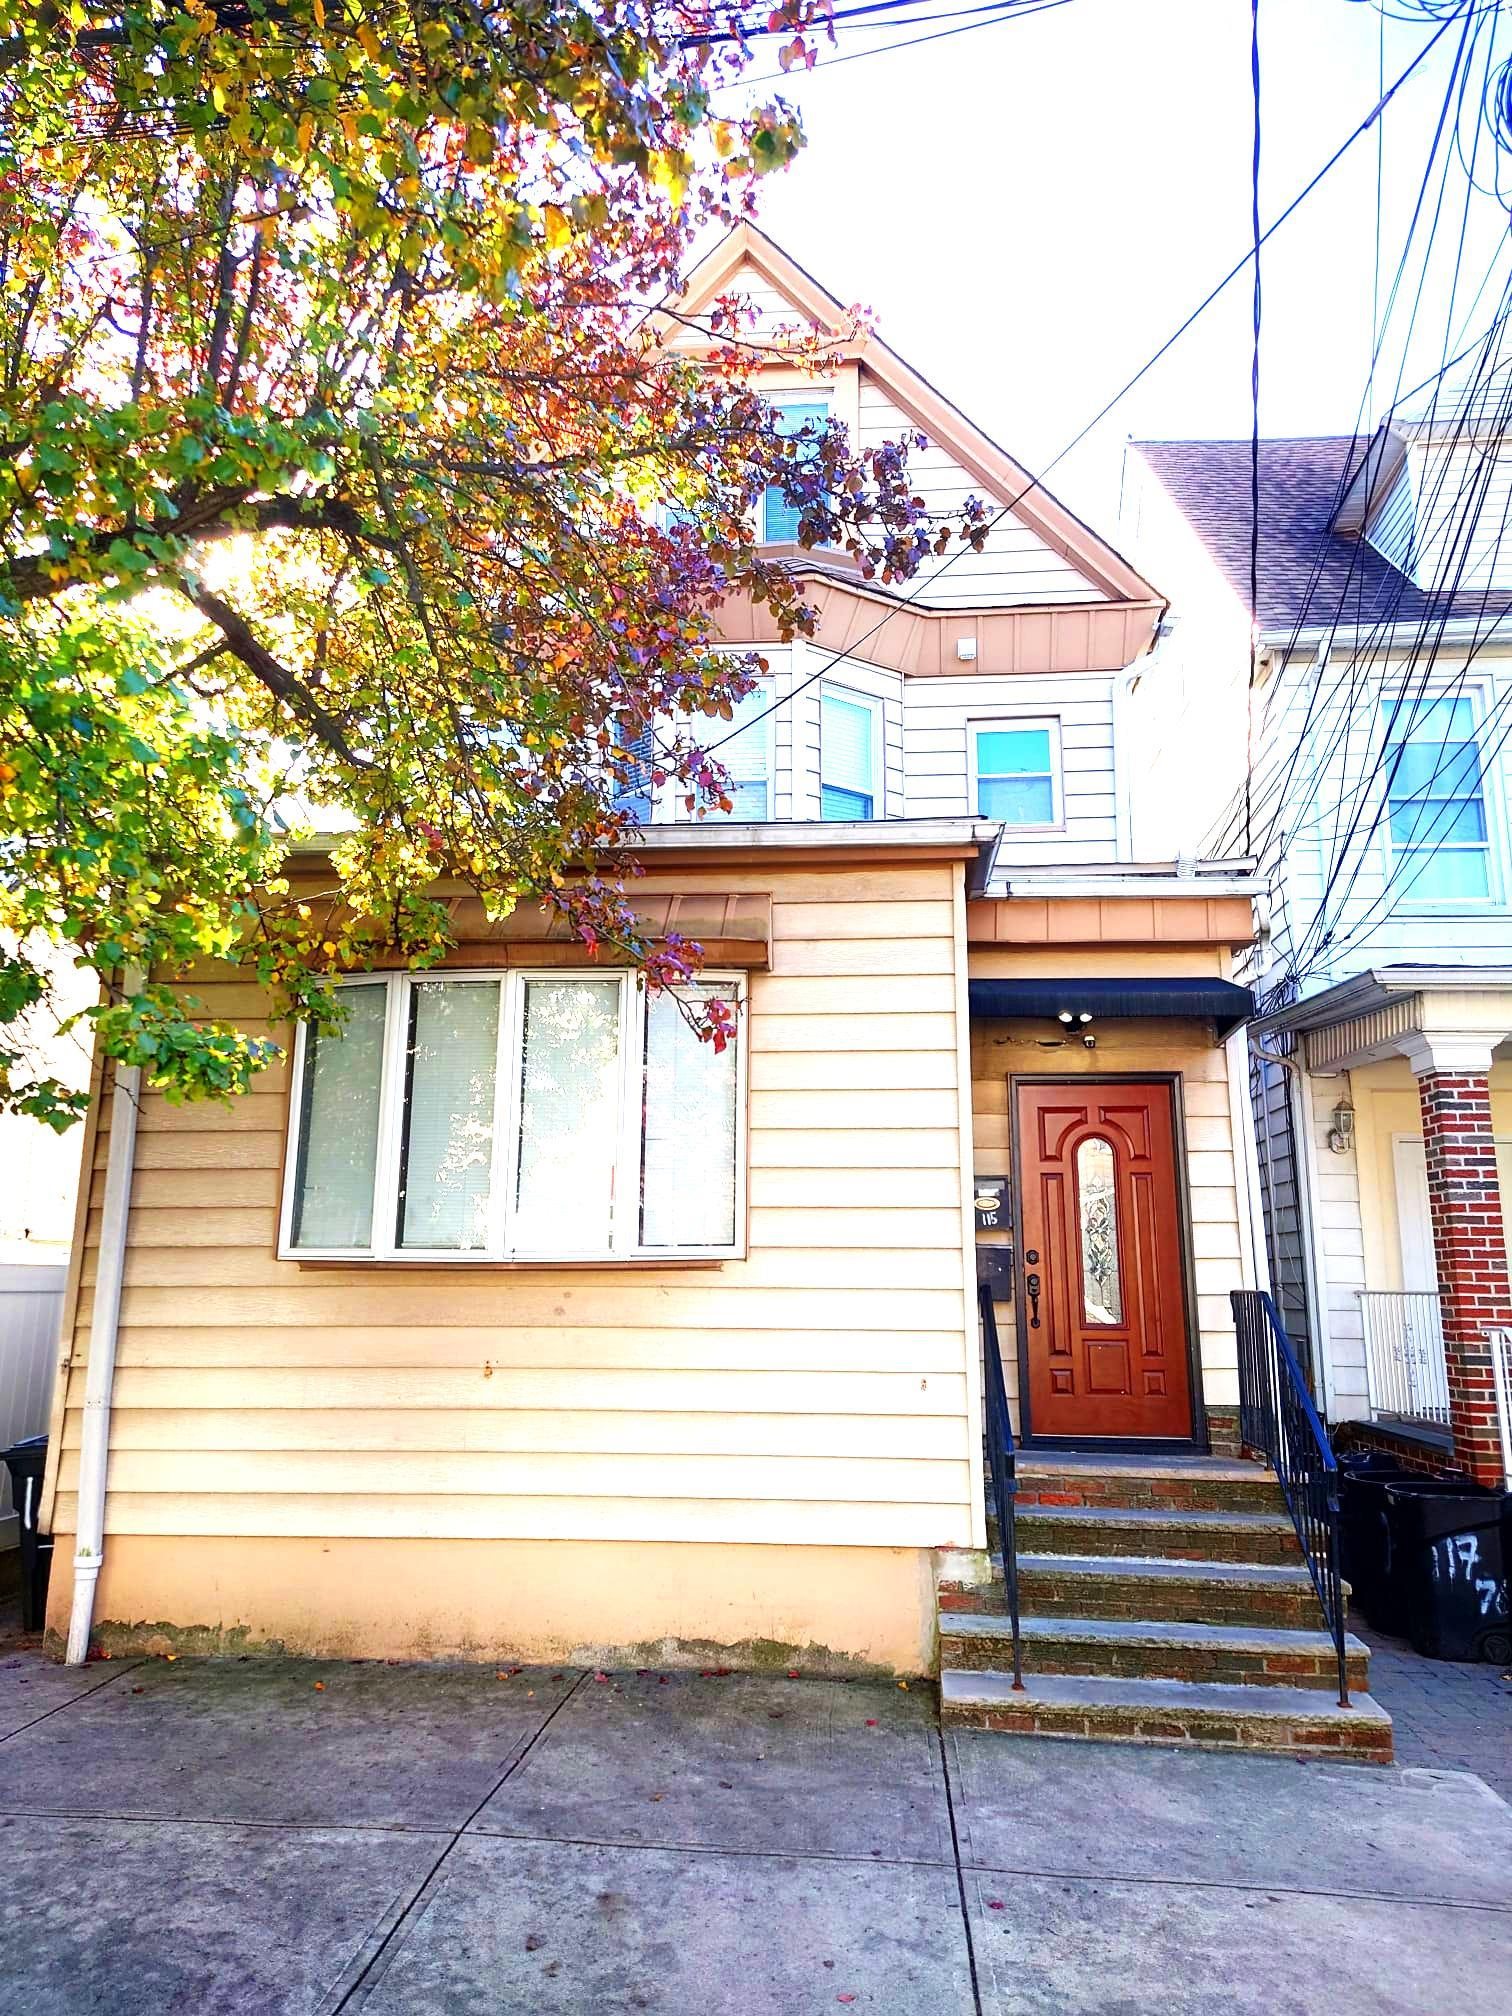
515	1446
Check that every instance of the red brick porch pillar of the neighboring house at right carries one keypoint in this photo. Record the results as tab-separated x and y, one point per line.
1471	1251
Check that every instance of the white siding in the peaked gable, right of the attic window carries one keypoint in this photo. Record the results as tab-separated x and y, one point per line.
1015	565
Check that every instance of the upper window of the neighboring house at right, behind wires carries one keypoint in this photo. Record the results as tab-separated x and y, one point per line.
1436	803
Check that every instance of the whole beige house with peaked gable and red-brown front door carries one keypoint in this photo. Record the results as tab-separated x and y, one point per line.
561	1430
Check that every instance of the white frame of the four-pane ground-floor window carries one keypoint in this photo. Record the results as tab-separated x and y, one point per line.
624	1231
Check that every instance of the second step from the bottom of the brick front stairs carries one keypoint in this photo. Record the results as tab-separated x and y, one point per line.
1150	1650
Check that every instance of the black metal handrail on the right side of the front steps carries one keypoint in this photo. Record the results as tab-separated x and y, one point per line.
1279	1422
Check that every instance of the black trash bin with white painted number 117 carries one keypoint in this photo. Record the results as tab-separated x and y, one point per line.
1448	1565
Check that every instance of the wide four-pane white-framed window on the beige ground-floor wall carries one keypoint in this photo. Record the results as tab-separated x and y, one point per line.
515	1116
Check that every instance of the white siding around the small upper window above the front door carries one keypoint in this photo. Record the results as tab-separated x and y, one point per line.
938	757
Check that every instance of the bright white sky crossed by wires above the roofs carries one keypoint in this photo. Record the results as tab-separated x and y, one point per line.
1031	211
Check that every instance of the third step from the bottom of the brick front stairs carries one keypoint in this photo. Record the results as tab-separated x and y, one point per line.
1180	1592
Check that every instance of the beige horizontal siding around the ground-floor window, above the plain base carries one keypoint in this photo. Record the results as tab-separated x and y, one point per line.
820	1392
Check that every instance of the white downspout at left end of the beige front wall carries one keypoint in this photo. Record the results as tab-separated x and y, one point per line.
100	1374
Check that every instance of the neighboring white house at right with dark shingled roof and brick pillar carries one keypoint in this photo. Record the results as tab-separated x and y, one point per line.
1382	1065
